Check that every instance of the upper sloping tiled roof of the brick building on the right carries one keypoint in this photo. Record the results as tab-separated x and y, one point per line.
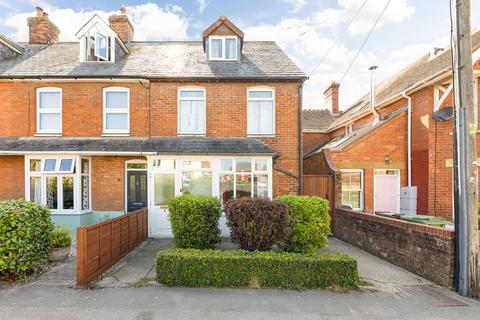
425	67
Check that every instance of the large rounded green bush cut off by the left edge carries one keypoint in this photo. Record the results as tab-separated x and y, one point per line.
25	233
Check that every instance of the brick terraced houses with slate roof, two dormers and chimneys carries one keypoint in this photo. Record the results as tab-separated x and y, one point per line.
106	125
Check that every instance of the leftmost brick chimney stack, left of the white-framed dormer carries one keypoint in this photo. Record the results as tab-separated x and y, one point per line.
41	30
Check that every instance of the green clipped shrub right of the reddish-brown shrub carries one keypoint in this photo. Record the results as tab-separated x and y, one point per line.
309	223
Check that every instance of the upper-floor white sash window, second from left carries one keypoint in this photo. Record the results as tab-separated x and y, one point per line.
116	110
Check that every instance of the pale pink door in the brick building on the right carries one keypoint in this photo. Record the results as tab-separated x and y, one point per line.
387	191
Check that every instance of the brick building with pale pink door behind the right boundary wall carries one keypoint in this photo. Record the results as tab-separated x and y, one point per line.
375	151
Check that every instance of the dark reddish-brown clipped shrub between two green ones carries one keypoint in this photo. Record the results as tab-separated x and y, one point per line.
256	223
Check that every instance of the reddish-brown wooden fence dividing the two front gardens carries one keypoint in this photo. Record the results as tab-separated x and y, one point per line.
101	245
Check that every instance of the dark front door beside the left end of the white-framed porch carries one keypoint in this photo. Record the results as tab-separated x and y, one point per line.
136	190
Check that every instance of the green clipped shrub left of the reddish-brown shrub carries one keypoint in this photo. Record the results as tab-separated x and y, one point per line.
194	221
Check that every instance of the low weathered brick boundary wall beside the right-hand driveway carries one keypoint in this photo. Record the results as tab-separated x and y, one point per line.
423	250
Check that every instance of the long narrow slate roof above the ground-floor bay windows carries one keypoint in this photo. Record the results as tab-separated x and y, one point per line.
160	145
